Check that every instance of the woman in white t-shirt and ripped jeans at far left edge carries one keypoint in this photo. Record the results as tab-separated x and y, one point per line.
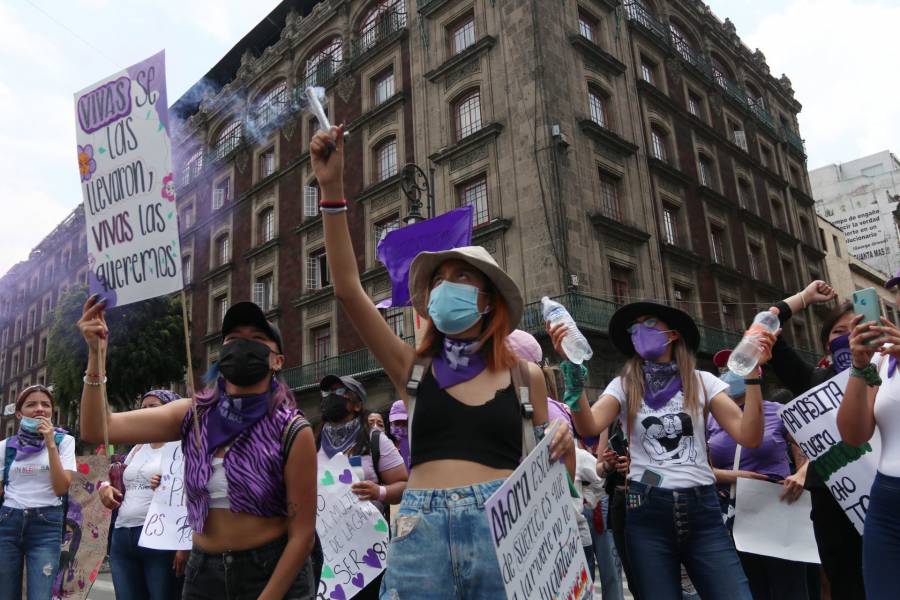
38	464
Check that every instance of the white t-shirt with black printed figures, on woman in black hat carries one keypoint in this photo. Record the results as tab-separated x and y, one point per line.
669	441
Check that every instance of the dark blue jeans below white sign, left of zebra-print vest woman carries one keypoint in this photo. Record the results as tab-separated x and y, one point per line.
140	573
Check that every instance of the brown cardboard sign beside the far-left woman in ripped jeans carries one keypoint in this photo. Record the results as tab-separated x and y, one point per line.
86	531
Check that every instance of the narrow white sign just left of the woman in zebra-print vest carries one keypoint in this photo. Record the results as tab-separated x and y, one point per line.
166	525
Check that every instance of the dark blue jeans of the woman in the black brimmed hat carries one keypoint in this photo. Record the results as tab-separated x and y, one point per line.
667	528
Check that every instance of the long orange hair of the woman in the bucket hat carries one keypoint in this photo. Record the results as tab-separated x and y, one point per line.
495	328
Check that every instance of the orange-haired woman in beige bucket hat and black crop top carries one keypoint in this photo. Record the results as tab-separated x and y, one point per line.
467	430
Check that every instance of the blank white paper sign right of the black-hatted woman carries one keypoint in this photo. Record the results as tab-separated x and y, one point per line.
765	525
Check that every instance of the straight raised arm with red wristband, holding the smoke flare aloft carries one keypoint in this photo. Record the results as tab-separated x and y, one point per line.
396	356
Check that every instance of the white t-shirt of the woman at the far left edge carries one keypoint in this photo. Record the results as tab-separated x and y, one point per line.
29	476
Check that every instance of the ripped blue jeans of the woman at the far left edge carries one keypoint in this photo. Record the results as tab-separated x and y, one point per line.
33	538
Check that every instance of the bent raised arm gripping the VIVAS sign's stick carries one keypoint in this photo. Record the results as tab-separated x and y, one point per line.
162	424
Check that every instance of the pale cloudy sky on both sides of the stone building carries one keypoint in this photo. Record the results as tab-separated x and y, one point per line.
839	54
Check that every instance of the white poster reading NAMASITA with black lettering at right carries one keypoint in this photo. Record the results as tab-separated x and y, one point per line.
847	471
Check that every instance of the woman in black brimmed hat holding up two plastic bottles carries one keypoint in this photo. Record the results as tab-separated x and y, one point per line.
663	401
